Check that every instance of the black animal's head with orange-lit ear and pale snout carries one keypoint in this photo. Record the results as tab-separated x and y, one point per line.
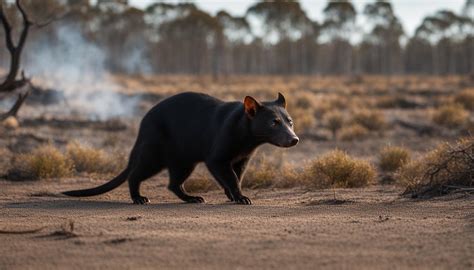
270	121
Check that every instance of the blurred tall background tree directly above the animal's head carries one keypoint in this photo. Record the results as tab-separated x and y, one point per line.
286	33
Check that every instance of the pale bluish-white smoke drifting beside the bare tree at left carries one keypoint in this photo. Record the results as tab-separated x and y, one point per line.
77	67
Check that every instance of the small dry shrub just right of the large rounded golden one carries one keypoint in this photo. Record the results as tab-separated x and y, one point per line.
391	158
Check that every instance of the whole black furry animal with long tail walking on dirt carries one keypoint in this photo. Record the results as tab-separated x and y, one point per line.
189	128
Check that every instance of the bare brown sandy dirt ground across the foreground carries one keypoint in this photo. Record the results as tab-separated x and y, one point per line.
290	229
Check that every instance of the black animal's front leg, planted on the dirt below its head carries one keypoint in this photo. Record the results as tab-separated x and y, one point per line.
225	175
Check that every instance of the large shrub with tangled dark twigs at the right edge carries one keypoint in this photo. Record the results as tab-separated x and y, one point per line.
448	166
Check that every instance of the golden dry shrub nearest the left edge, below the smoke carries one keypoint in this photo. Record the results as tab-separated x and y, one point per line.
42	163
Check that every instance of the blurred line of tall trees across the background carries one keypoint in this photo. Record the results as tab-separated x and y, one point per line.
274	37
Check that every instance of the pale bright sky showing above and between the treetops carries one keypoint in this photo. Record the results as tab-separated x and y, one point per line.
410	12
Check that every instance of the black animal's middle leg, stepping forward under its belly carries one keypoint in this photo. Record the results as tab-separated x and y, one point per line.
178	174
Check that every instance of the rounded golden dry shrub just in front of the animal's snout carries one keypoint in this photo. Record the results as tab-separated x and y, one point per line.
338	169
